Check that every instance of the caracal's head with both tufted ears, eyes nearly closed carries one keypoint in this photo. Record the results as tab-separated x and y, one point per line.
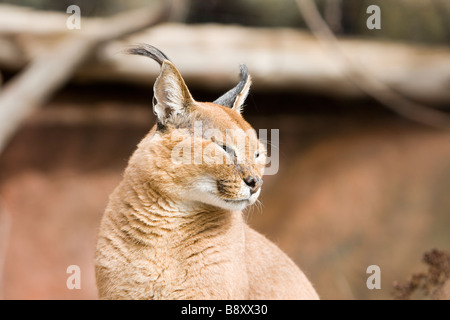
200	153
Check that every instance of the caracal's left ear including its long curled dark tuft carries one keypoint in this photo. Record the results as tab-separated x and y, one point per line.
172	99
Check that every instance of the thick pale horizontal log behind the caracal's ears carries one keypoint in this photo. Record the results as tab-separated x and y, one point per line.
278	59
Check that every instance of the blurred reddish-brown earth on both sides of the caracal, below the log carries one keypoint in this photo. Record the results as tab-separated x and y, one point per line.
355	188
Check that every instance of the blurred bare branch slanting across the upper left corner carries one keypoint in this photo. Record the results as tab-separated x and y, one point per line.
51	70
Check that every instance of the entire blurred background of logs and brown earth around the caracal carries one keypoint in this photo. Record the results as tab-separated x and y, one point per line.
362	113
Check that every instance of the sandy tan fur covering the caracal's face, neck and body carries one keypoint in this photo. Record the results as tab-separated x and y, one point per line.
160	239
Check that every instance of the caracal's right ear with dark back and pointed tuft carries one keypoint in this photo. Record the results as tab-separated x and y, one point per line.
235	98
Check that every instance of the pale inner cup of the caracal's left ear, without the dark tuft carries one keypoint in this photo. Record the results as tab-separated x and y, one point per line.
172	99
